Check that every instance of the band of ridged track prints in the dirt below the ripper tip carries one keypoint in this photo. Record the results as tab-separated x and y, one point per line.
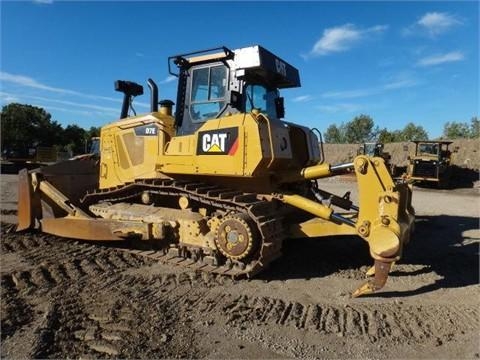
372	322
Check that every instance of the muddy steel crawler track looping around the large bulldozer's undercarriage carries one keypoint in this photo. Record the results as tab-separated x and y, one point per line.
262	212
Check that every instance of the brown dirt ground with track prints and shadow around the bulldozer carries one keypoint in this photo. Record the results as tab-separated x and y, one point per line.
68	299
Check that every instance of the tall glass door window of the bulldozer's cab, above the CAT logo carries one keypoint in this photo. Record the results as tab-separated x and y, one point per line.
209	86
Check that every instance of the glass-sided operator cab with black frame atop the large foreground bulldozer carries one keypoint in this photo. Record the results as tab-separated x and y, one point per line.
213	84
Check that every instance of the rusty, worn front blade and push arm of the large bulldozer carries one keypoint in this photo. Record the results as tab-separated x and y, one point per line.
49	198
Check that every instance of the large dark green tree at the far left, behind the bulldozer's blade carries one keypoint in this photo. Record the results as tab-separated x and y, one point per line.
26	126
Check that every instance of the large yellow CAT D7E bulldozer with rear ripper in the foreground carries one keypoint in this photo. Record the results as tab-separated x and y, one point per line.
221	183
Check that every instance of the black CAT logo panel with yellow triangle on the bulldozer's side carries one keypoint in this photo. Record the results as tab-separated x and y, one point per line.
218	142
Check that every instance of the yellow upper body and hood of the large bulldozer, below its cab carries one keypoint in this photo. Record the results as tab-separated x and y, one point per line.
259	147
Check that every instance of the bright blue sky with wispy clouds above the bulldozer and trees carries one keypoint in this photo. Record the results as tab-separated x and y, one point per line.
398	62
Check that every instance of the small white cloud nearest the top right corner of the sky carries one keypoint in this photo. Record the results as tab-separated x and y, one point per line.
433	23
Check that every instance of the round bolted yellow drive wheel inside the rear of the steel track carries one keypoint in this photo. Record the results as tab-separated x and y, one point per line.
236	237
